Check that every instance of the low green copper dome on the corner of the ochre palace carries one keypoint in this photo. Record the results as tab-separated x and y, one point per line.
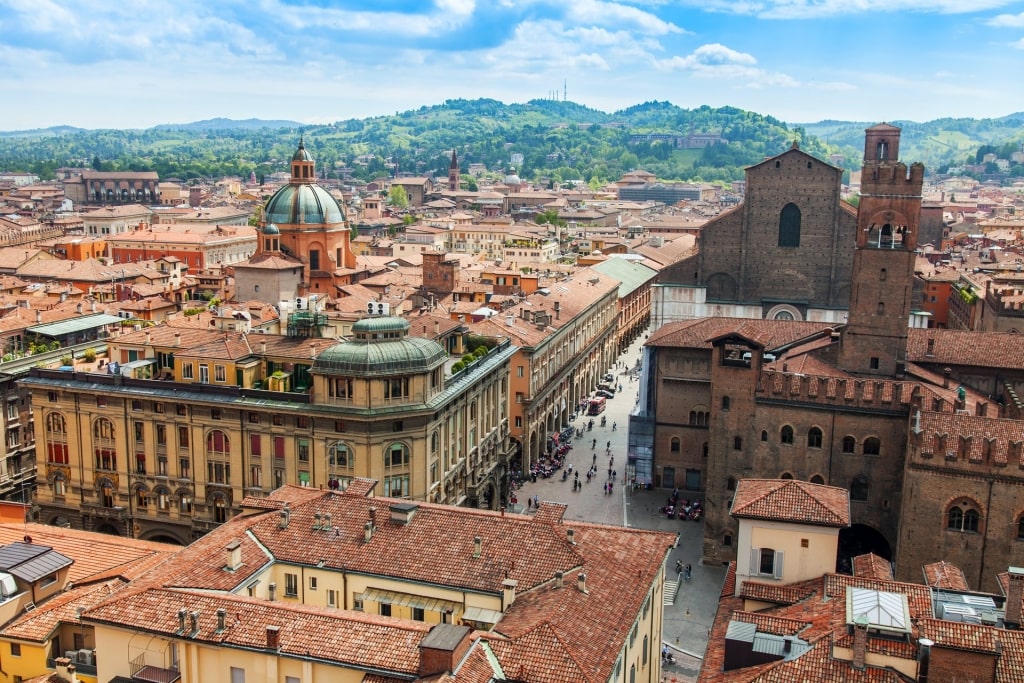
381	348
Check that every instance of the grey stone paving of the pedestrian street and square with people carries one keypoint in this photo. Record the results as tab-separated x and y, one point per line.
689	621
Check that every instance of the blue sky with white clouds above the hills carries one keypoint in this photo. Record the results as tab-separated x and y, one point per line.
97	64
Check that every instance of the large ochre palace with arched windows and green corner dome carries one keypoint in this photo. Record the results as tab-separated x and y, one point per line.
166	446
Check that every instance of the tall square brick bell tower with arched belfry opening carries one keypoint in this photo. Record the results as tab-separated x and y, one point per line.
874	341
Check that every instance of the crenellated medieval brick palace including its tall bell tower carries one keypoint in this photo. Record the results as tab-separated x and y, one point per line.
921	426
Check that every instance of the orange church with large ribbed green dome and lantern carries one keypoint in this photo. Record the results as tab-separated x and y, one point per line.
313	225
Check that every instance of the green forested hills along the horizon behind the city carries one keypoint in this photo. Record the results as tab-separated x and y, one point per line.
560	141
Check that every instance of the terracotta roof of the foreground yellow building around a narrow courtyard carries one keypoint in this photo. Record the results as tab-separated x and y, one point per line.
542	631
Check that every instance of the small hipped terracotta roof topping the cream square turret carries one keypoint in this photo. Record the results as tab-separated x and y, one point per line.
792	501
